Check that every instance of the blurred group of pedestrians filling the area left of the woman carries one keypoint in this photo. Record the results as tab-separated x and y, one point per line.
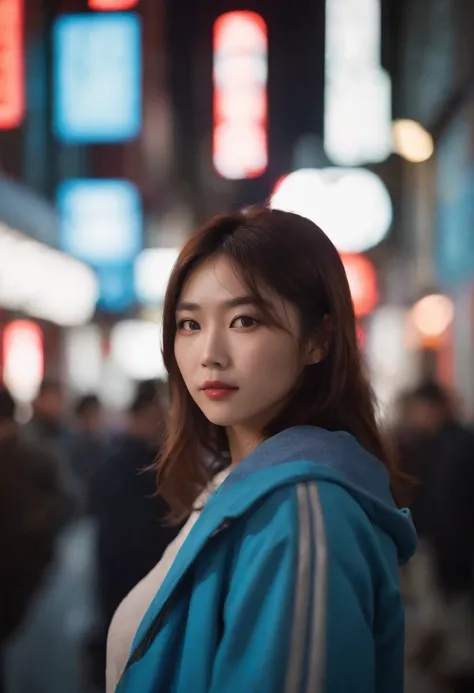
81	525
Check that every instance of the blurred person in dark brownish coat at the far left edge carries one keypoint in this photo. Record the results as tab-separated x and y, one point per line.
30	508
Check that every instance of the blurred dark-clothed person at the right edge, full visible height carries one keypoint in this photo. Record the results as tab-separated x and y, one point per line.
439	451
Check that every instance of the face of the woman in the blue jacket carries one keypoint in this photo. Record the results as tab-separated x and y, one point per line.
238	369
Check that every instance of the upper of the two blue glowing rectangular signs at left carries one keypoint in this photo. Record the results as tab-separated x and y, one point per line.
97	77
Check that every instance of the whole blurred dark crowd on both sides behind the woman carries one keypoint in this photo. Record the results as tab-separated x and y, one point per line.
82	524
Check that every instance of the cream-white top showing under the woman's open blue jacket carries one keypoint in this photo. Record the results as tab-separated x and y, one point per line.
131	611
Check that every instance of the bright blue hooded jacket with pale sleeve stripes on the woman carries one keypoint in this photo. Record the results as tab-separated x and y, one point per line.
288	581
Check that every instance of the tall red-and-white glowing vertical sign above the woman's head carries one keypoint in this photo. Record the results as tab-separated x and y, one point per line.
240	95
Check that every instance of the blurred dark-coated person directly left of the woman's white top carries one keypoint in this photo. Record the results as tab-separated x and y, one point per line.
131	518
